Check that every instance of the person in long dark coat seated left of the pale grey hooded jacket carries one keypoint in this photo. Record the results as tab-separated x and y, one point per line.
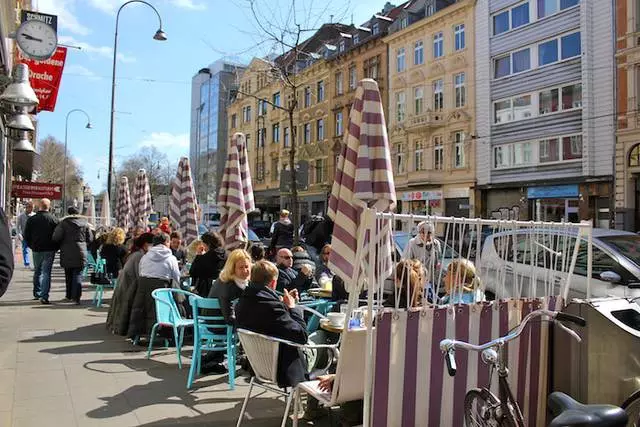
122	301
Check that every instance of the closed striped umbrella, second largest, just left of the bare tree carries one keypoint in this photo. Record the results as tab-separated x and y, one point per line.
235	200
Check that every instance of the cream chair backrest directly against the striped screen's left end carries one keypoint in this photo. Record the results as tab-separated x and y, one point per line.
349	381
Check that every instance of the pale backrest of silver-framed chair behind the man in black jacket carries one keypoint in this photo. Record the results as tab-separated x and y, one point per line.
262	352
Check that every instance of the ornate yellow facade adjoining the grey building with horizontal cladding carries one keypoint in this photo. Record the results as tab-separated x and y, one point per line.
431	109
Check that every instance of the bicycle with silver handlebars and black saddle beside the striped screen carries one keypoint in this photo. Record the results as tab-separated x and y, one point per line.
483	408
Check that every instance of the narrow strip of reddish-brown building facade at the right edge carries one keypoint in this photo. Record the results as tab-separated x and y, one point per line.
627	160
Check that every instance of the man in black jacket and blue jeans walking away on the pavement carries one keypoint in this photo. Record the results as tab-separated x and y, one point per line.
39	236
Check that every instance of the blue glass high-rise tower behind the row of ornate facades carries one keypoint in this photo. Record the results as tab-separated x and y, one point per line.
209	137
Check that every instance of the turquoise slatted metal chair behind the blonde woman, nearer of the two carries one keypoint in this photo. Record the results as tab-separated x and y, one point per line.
211	334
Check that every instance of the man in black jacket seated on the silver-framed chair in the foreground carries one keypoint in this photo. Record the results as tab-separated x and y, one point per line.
259	309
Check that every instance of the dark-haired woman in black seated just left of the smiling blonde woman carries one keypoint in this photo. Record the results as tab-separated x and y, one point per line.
206	267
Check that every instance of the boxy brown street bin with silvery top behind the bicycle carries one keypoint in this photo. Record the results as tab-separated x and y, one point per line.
605	366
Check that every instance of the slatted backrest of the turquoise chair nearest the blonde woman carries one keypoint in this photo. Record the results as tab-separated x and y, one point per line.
210	326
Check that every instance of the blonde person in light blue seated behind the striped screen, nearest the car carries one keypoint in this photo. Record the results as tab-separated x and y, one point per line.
461	283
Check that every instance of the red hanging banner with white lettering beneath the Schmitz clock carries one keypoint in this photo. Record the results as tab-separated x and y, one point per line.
45	77
